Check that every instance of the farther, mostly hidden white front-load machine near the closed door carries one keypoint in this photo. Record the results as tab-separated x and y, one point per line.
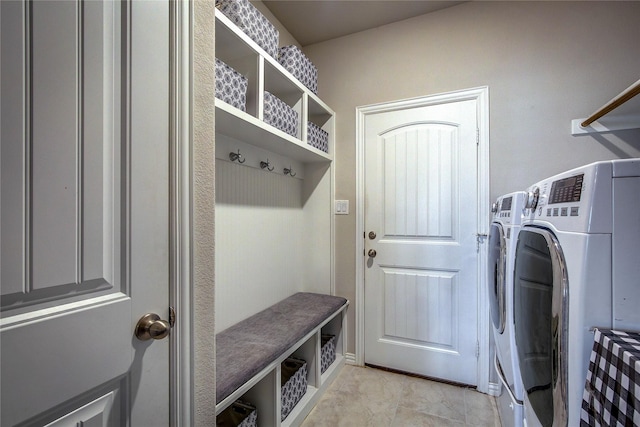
505	225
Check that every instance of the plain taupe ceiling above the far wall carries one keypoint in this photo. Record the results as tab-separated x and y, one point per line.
315	21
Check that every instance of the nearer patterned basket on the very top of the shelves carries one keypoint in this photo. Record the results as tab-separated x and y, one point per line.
252	22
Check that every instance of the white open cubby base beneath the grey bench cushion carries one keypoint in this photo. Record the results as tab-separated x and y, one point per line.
264	391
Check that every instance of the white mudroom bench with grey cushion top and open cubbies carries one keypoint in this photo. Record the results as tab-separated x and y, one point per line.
250	354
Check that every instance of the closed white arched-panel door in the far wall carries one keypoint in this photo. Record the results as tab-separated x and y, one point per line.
421	270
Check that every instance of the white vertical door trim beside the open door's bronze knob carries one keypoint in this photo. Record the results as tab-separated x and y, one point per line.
181	388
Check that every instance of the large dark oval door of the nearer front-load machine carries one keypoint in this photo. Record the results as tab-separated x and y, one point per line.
540	321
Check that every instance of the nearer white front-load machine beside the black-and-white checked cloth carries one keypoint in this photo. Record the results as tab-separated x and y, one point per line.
577	267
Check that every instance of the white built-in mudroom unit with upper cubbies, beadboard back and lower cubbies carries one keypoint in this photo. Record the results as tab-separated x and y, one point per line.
275	232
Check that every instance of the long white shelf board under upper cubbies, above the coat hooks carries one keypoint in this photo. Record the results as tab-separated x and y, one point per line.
242	126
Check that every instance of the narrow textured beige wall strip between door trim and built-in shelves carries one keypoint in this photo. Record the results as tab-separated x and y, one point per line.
203	226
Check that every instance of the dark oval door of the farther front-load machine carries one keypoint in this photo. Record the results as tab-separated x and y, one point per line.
496	280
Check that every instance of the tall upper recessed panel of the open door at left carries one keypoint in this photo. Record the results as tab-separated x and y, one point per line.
57	263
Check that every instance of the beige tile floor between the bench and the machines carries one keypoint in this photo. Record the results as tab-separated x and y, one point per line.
364	397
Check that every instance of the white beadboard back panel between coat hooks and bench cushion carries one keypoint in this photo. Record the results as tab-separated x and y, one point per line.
259	236
